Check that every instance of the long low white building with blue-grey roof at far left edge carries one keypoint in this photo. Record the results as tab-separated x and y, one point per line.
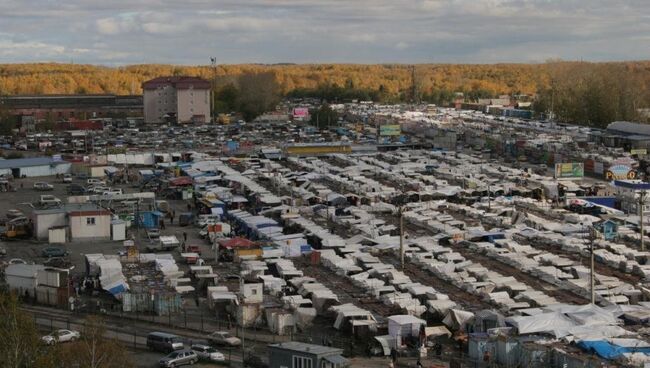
34	166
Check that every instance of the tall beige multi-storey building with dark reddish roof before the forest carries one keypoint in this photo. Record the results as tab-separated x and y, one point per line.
176	99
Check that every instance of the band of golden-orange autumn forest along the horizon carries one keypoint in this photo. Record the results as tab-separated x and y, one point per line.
581	92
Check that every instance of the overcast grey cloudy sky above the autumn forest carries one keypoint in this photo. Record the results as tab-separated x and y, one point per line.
116	32
